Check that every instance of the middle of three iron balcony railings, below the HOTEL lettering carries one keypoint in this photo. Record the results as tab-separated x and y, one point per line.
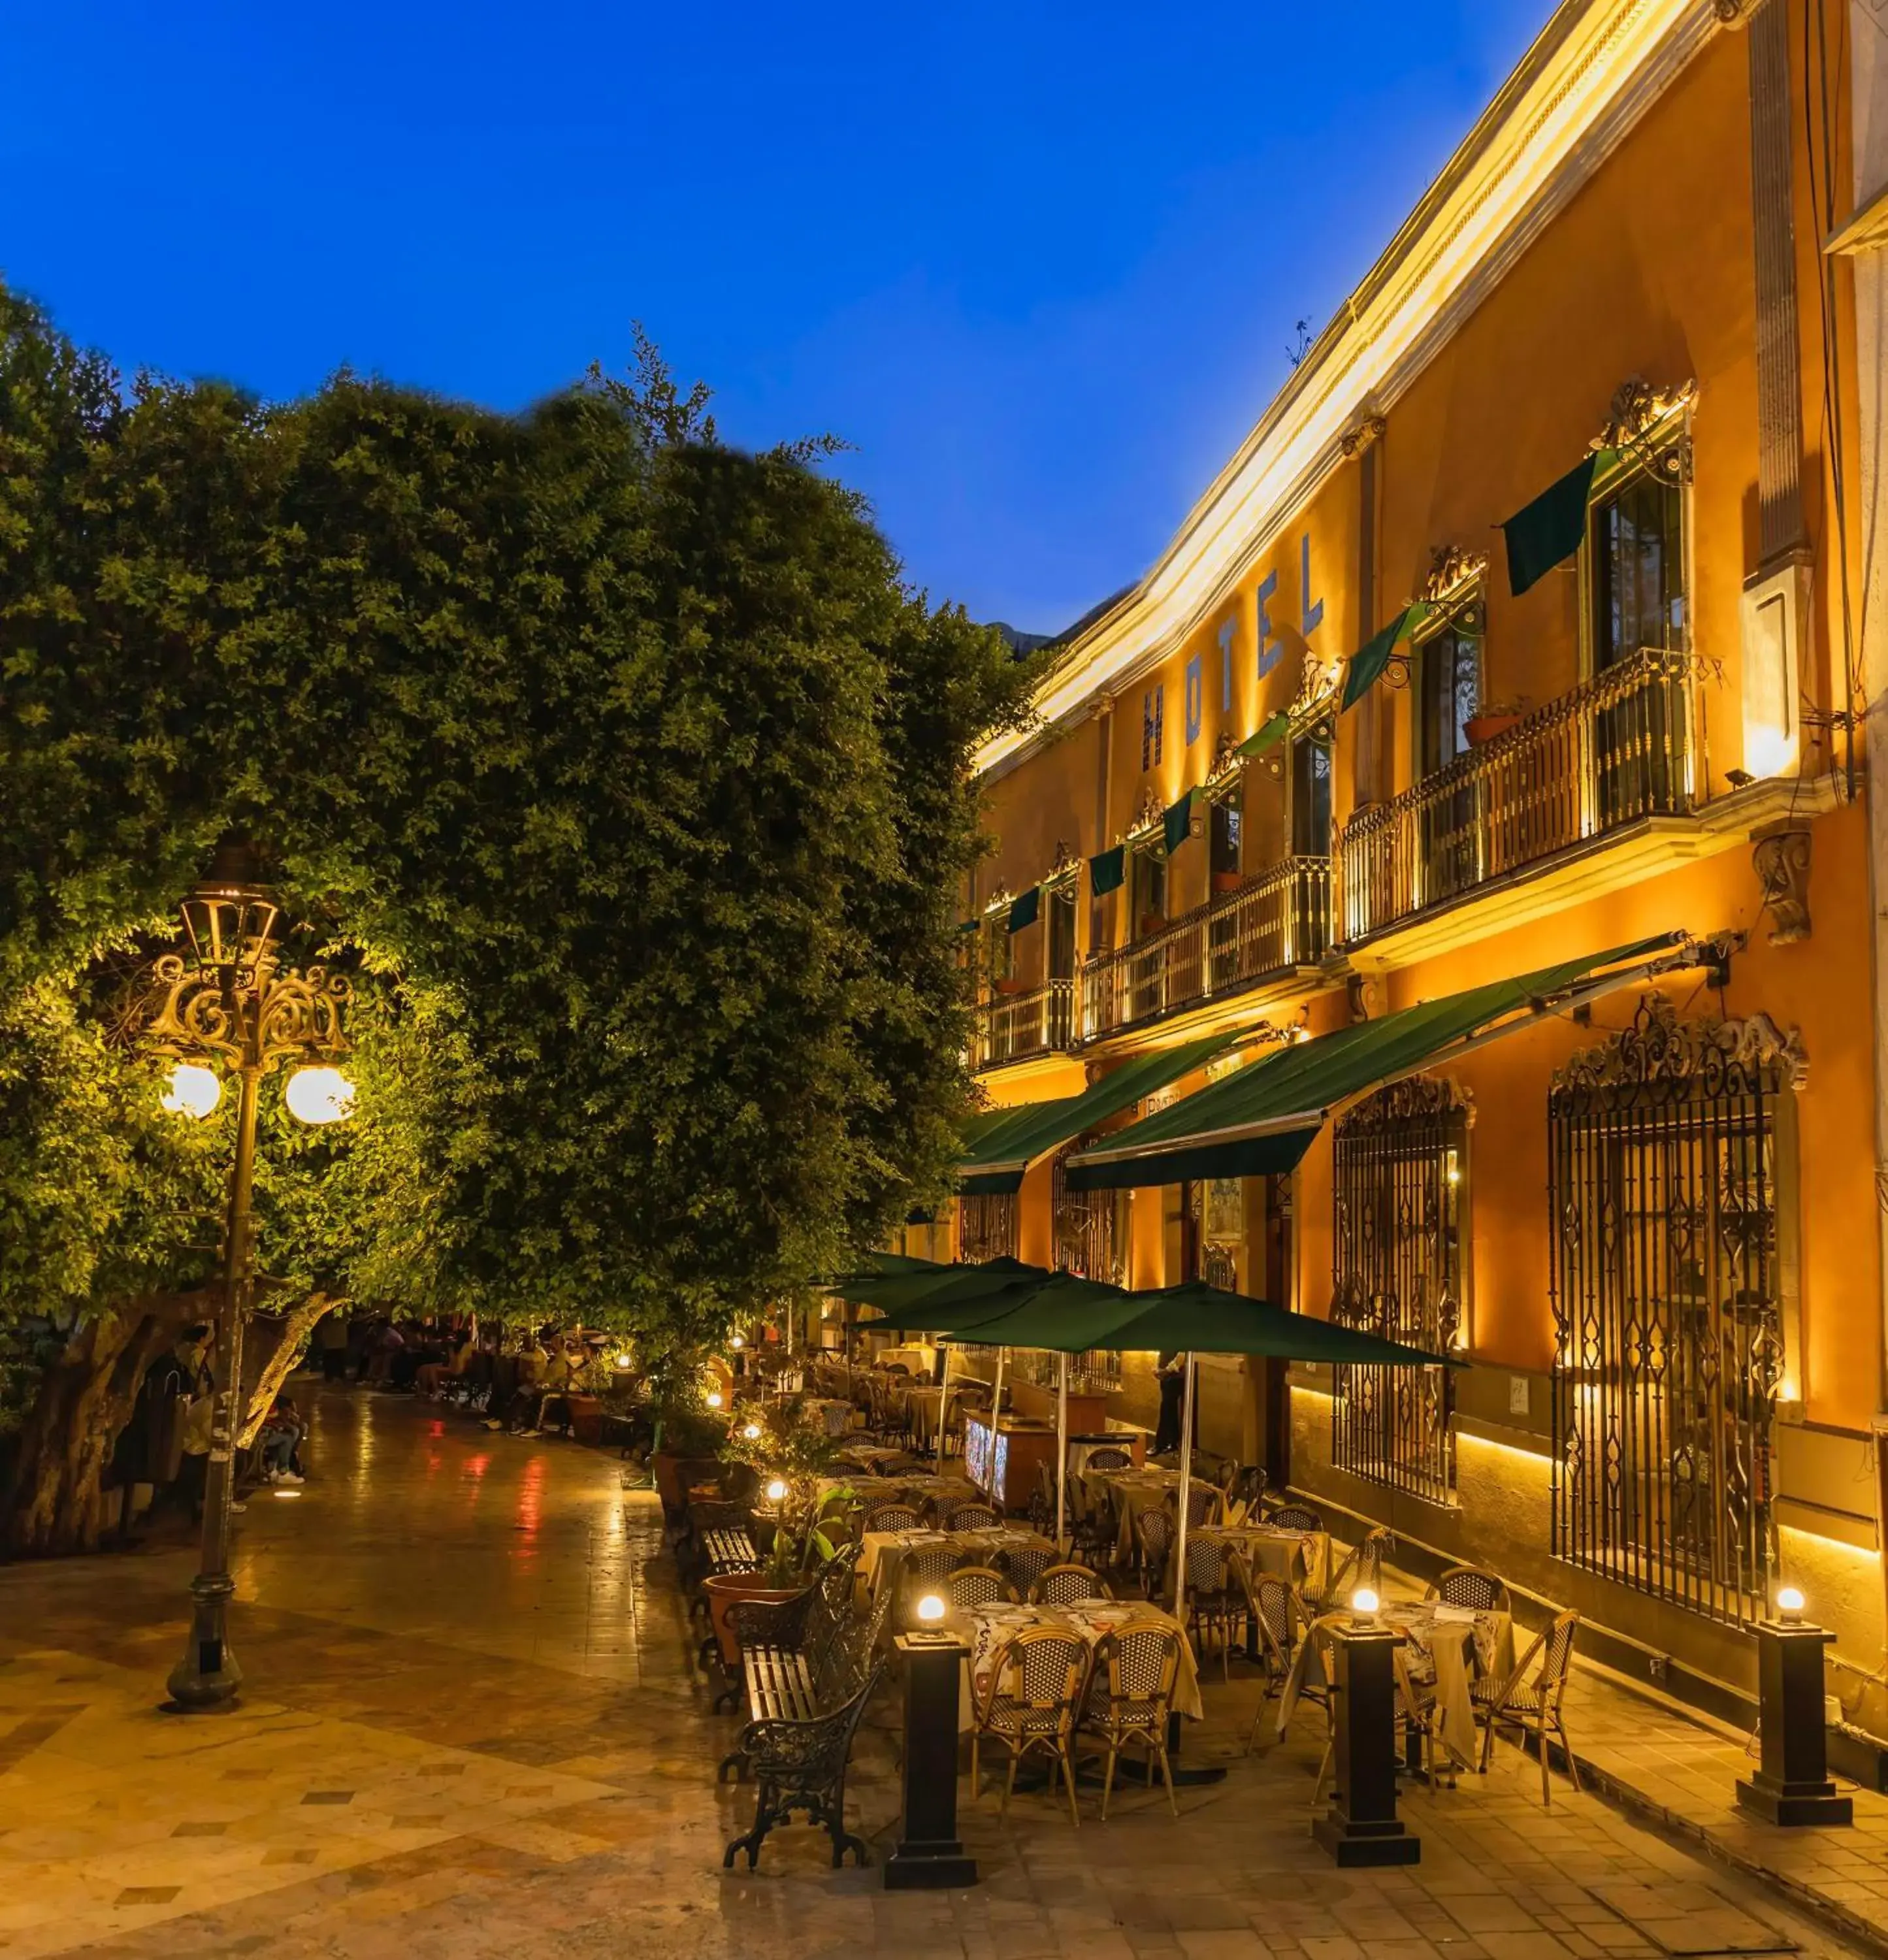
1264	932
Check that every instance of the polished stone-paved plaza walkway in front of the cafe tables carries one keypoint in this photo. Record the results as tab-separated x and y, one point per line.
473	1732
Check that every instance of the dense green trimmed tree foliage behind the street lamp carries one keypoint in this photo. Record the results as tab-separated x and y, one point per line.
621	763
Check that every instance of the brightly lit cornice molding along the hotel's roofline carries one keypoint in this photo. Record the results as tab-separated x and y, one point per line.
1575	97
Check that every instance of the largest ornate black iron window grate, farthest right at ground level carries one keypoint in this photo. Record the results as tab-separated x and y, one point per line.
1667	1300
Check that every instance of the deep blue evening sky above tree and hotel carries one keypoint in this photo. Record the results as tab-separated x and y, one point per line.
1040	266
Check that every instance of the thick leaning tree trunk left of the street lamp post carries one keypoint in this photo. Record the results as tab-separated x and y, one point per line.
52	1498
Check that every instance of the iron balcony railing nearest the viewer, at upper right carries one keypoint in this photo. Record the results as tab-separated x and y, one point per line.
1616	752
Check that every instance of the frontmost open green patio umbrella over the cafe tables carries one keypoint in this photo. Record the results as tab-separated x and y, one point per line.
1191	1320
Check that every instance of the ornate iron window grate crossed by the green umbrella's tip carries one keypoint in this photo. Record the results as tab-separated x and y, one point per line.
1399	1169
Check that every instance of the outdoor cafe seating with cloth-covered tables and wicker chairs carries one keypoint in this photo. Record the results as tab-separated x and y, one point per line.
1097	1628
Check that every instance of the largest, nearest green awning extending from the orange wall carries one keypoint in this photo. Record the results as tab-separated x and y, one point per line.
1264	1118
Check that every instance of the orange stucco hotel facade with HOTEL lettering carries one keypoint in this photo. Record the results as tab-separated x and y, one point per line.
1630	256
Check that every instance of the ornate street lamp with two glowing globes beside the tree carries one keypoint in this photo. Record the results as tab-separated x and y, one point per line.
226	1008
